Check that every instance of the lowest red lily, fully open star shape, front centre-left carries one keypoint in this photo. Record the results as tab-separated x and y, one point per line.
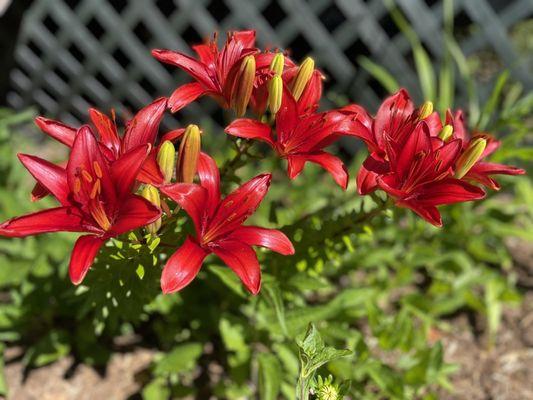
219	229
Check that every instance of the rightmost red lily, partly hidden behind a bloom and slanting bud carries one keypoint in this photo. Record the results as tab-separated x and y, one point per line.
482	170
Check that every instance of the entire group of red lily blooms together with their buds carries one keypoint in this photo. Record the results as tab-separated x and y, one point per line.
113	183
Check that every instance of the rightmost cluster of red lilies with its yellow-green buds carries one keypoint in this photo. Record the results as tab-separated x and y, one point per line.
419	161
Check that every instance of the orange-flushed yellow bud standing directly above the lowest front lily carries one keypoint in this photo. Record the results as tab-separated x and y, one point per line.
188	154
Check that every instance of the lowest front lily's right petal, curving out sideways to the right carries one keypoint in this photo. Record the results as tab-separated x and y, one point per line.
272	239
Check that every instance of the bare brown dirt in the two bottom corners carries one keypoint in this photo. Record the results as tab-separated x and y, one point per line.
504	372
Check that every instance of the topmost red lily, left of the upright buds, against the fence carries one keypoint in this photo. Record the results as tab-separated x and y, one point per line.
215	71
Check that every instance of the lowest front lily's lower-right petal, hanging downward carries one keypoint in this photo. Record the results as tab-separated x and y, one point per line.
241	258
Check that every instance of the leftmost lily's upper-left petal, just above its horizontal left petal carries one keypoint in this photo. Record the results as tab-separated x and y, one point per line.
53	178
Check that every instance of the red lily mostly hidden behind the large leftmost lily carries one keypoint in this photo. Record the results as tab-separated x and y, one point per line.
141	129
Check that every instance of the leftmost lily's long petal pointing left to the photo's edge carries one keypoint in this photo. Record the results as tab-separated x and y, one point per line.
57	219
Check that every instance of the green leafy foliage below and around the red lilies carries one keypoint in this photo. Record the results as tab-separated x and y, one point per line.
379	287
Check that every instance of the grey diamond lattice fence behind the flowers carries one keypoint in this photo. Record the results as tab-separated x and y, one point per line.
75	54
